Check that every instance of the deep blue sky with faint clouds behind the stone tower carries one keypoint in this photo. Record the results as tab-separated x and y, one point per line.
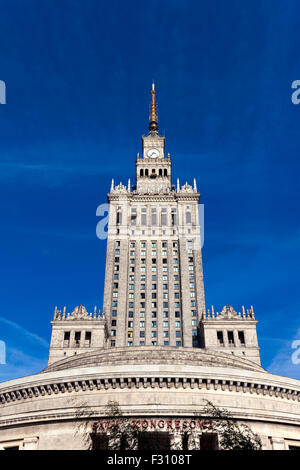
78	77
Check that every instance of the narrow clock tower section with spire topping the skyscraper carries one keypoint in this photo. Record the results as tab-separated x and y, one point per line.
153	169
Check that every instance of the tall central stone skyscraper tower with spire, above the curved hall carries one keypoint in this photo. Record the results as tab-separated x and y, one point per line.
154	292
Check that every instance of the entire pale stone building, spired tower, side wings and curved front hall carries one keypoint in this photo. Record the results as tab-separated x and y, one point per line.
155	349
